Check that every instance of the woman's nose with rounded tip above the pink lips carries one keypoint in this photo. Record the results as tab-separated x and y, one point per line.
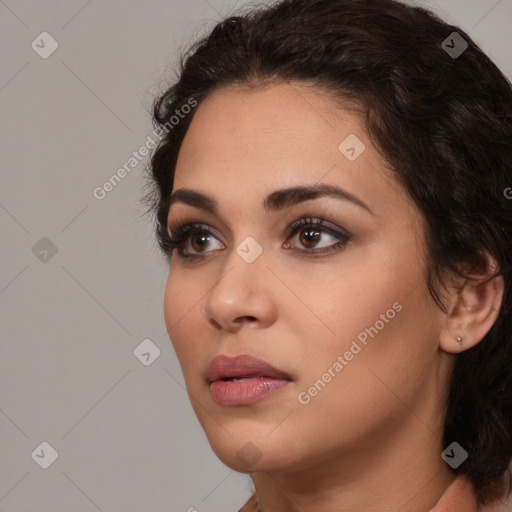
242	296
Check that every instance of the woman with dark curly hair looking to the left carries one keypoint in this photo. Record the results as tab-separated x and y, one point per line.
332	191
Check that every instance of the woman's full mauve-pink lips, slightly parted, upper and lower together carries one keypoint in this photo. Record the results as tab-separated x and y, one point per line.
266	379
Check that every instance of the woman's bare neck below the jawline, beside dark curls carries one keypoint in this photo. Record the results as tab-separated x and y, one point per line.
409	476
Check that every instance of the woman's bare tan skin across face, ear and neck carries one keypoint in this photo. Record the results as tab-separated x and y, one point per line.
371	439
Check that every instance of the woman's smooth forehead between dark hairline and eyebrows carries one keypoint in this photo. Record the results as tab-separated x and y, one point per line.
244	143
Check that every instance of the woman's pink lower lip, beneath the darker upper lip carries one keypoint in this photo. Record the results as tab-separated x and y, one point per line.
246	392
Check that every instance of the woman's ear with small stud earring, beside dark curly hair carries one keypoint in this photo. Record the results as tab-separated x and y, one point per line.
473	307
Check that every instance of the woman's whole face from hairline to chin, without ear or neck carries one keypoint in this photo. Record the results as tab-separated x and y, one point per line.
341	310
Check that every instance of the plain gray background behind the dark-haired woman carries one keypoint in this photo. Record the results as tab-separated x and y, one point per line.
125	433
